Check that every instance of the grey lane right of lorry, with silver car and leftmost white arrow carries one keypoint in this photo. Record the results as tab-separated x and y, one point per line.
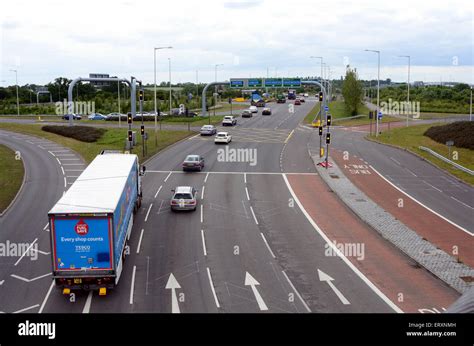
171	244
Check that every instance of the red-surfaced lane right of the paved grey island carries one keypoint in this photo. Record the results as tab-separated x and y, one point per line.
431	227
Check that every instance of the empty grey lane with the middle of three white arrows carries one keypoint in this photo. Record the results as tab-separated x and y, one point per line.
235	247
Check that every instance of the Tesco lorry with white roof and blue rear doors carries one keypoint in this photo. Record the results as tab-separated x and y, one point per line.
91	223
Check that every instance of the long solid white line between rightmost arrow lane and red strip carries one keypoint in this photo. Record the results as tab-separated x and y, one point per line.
339	253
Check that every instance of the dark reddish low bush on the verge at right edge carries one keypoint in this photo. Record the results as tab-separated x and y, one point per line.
461	132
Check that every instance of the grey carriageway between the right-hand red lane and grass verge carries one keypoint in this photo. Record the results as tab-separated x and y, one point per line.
403	167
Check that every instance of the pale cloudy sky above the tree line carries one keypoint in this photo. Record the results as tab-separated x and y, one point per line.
250	38
